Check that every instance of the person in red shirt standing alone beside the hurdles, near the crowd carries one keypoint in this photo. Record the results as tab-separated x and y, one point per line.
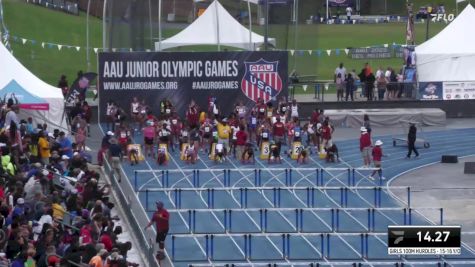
161	218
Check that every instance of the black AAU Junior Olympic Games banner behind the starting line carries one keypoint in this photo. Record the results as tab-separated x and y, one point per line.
180	77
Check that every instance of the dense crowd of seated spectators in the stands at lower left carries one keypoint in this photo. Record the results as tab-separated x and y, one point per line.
54	209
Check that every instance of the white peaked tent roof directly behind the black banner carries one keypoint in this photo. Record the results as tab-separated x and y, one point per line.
215	26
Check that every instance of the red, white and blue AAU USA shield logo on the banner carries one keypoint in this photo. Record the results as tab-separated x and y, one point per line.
261	80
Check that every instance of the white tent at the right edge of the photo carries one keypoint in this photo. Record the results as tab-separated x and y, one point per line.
450	55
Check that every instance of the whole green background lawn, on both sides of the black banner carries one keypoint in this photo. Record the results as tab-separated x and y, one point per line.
44	25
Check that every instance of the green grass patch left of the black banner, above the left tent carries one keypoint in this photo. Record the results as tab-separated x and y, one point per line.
44	25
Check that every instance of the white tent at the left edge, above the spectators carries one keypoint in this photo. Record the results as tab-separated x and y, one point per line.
12	69
